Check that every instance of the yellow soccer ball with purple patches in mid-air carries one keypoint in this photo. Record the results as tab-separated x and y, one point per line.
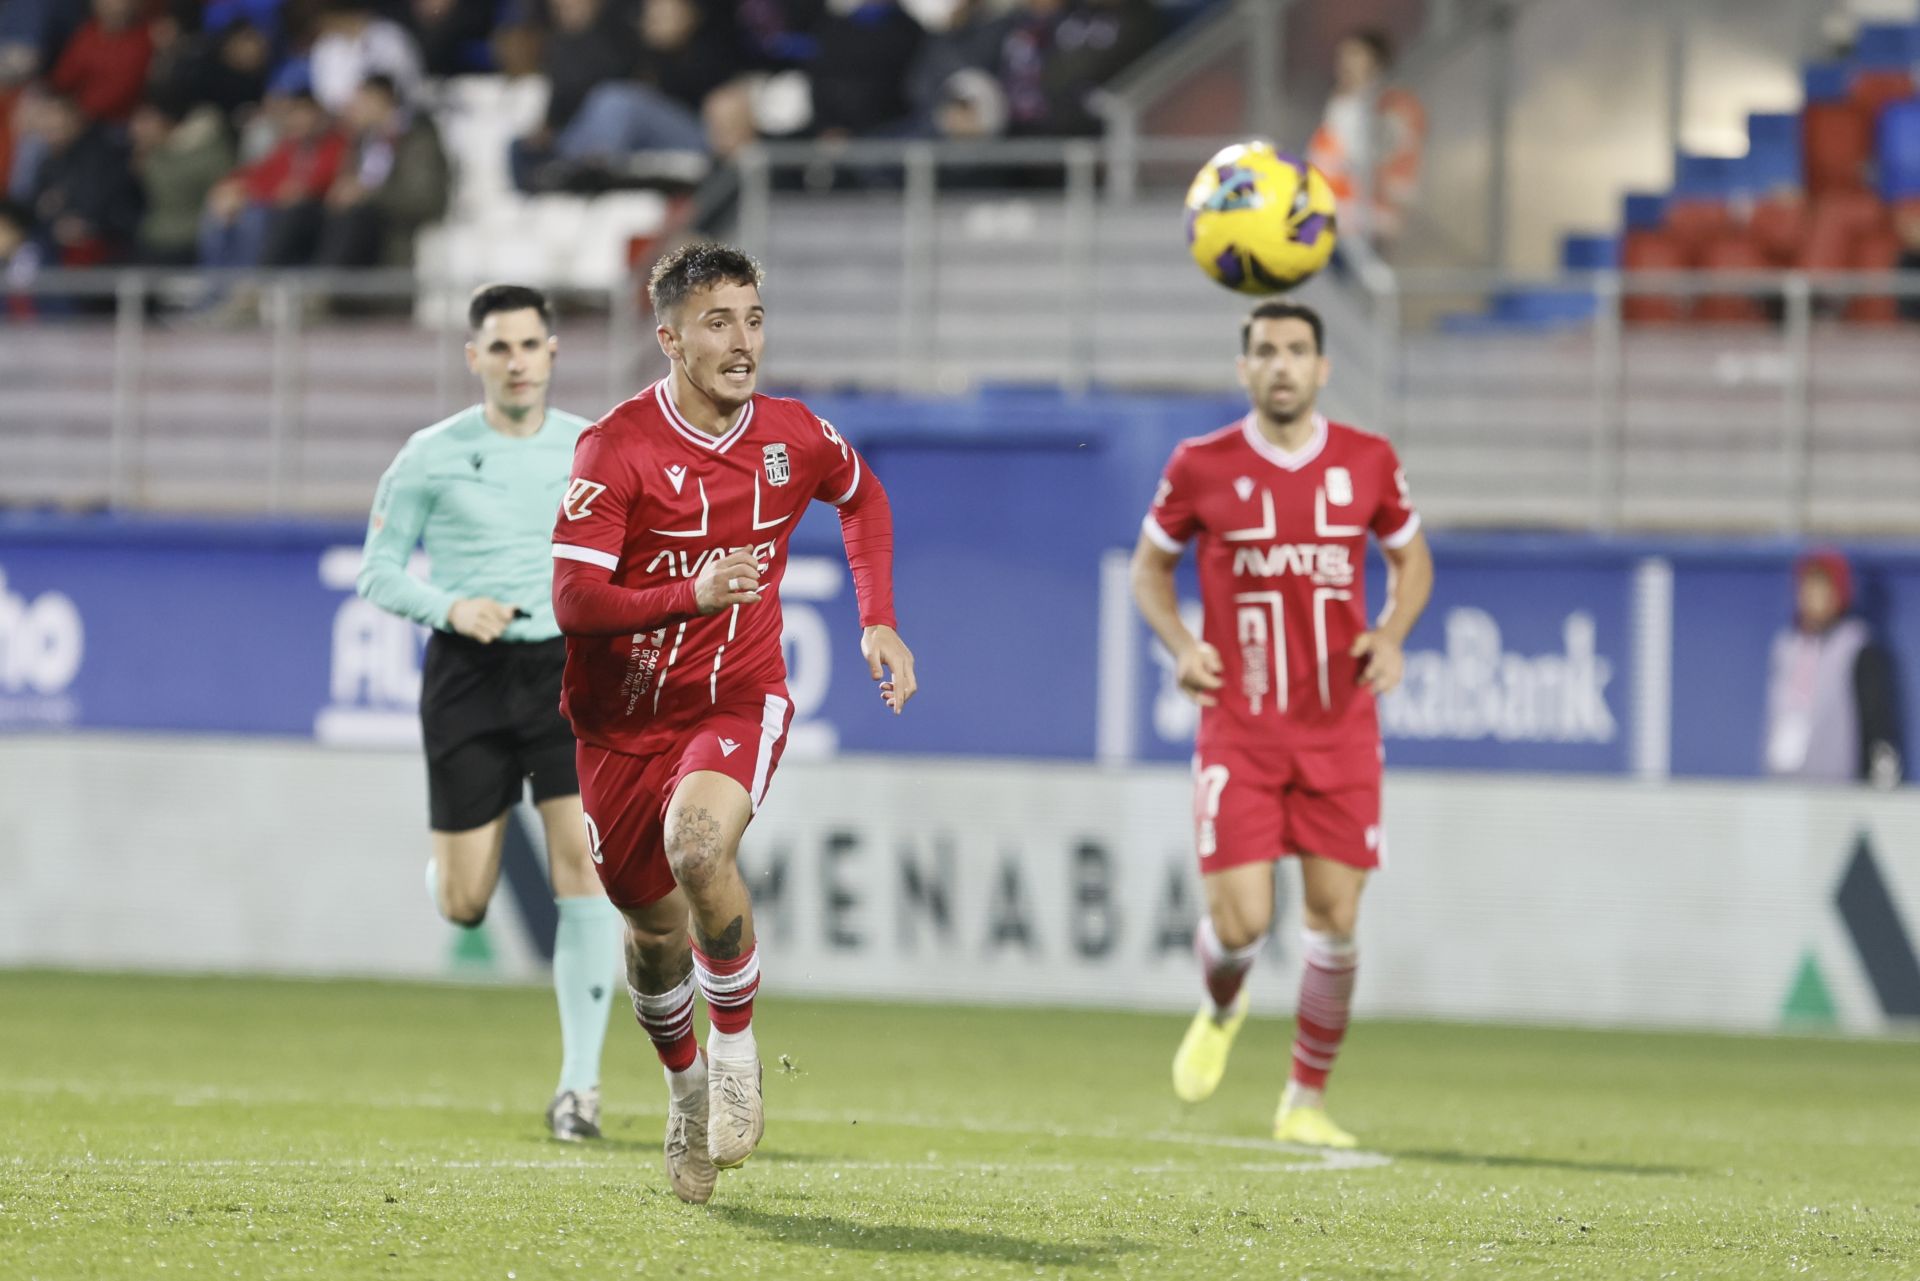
1260	222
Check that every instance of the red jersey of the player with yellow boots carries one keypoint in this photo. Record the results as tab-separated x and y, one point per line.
1282	556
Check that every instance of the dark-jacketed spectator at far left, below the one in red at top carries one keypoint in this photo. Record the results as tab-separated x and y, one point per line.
84	197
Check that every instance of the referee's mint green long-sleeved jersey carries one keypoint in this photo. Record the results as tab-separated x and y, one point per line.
483	504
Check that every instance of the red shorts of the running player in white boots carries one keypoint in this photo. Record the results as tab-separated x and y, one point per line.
627	796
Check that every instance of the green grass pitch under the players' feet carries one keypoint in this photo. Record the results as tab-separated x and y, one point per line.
237	1128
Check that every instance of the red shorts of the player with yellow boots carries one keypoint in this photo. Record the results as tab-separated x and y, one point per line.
1255	806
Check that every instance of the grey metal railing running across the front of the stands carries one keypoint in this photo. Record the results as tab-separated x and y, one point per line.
894	268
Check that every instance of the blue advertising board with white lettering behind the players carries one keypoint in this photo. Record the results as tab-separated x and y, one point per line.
1560	654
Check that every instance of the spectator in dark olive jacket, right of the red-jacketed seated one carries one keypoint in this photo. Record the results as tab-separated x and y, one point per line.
393	183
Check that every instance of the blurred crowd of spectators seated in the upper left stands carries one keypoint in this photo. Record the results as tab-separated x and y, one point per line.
287	133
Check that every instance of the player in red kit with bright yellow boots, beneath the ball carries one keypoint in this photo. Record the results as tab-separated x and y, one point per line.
1285	671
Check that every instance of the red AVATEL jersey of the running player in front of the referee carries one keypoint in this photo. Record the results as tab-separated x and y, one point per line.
654	500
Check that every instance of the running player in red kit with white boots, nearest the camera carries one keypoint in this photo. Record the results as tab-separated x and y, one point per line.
669	554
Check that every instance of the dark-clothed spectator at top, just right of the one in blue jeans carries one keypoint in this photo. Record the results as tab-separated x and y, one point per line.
857	70
